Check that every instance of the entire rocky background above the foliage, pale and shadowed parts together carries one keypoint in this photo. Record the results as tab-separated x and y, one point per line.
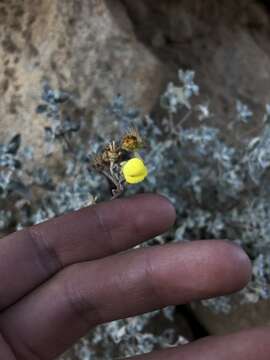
93	49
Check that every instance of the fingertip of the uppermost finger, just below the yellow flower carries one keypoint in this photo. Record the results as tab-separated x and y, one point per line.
135	219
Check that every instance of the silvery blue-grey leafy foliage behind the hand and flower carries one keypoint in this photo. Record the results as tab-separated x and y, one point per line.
218	184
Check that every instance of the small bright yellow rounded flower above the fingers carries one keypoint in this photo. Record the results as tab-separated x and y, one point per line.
134	171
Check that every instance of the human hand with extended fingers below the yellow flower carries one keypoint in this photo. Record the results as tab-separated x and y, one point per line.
60	278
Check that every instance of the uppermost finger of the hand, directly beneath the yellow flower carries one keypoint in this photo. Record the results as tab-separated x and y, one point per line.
31	256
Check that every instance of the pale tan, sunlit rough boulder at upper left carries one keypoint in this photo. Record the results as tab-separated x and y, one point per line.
87	47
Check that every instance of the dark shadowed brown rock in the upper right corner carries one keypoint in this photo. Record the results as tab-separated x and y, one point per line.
226	43
